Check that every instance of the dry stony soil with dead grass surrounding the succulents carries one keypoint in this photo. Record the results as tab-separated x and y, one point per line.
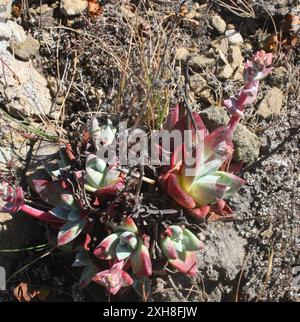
102	60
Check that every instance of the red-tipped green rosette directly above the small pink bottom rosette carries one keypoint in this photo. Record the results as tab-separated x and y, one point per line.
126	244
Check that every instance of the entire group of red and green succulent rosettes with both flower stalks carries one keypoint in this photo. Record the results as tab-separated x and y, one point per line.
122	258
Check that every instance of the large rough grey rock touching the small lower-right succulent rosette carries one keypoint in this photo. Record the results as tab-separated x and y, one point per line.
223	253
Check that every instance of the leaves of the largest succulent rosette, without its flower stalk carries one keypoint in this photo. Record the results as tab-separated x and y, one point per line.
208	184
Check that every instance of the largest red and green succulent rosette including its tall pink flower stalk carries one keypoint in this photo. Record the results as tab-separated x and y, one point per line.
210	185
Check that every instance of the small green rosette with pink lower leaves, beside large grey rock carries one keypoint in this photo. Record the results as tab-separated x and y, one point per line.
179	246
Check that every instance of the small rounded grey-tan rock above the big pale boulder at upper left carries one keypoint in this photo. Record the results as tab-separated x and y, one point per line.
26	49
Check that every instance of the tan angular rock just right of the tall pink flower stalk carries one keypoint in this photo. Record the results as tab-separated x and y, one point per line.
271	104
